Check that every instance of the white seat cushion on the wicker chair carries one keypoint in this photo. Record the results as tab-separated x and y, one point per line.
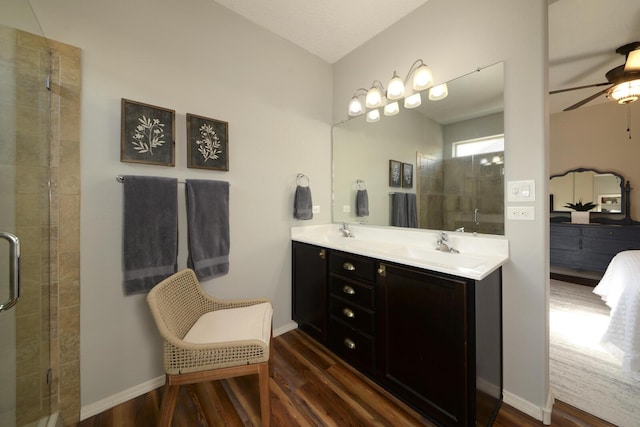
233	324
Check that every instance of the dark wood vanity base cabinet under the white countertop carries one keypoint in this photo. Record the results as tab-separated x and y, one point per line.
433	340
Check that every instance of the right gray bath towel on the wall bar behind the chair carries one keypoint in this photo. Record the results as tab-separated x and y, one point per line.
208	227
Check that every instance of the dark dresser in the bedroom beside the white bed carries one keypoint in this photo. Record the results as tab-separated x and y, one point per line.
590	247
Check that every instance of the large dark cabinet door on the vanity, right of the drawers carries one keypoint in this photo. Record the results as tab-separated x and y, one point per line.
426	346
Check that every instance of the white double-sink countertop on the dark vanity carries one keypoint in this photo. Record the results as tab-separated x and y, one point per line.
479	255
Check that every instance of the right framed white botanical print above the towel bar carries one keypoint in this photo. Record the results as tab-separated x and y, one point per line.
207	143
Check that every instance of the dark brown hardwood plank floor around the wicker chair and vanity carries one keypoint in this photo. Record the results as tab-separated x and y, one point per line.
310	387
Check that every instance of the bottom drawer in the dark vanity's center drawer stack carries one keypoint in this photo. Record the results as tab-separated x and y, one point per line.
353	346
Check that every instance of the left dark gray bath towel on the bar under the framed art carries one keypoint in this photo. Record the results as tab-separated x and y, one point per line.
150	239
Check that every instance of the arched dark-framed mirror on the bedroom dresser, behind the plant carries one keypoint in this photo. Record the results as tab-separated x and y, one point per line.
605	189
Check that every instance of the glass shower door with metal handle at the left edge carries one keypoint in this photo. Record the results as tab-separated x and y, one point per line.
24	212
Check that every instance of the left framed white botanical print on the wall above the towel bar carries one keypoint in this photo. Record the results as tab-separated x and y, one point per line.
148	134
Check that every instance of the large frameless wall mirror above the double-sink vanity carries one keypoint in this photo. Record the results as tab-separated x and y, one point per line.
452	150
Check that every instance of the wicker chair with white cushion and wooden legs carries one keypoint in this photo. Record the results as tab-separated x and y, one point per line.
206	339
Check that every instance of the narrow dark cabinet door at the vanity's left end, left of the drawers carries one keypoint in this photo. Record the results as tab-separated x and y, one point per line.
309	299
